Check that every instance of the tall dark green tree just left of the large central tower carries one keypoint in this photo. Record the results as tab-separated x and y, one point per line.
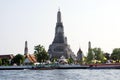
41	53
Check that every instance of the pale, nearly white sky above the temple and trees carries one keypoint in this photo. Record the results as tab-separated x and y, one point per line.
97	21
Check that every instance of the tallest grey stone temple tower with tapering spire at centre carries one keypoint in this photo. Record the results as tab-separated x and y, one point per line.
59	46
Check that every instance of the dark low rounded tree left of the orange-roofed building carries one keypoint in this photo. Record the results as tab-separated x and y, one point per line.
18	59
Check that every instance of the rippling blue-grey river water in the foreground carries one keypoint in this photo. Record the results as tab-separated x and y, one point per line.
68	74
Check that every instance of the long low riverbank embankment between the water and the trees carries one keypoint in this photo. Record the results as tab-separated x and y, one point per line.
65	66
